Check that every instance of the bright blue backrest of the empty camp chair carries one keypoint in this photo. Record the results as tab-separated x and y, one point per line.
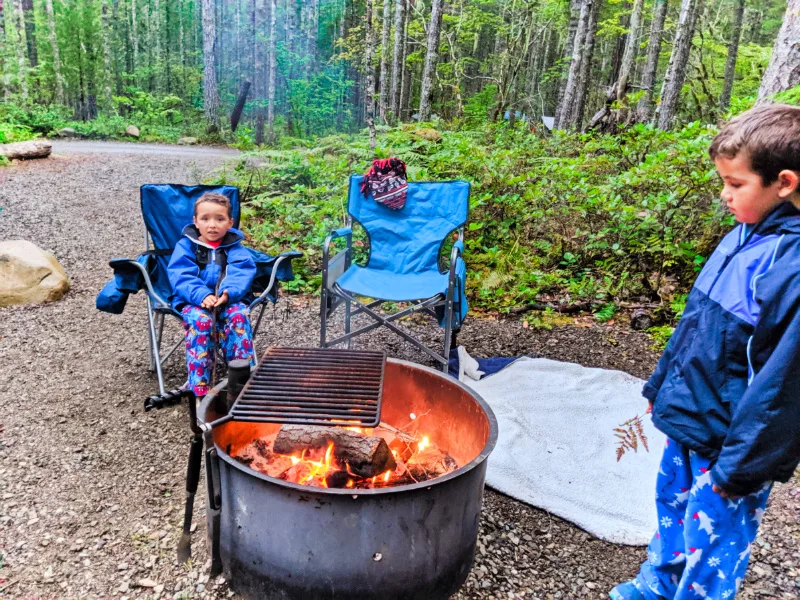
409	240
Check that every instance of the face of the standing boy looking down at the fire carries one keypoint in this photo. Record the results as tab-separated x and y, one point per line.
745	194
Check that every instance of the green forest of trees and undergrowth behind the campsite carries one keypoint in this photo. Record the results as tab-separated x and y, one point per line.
582	125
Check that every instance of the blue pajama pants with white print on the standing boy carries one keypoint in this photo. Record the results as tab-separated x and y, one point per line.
702	545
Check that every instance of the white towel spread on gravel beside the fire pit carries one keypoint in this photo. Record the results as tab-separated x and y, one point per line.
556	449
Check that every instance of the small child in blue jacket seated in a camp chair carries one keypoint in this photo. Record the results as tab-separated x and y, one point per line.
208	258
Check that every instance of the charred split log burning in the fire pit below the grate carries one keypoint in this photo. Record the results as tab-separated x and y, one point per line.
366	456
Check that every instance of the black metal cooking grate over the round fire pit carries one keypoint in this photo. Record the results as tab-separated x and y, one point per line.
314	386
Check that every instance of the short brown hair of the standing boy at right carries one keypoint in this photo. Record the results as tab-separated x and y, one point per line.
769	134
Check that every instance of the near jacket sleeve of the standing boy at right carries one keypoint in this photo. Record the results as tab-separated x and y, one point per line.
763	443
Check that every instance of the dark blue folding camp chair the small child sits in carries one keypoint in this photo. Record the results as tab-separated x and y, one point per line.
166	210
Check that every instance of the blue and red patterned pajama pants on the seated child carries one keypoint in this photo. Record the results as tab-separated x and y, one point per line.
235	338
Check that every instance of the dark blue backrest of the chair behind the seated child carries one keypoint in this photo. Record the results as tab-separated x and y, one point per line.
168	208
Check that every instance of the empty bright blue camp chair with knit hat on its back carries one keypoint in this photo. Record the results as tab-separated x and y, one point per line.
403	263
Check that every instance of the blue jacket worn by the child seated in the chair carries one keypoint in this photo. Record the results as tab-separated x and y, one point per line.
191	281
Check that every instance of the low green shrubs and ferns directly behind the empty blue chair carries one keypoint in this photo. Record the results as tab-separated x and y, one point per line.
580	217
